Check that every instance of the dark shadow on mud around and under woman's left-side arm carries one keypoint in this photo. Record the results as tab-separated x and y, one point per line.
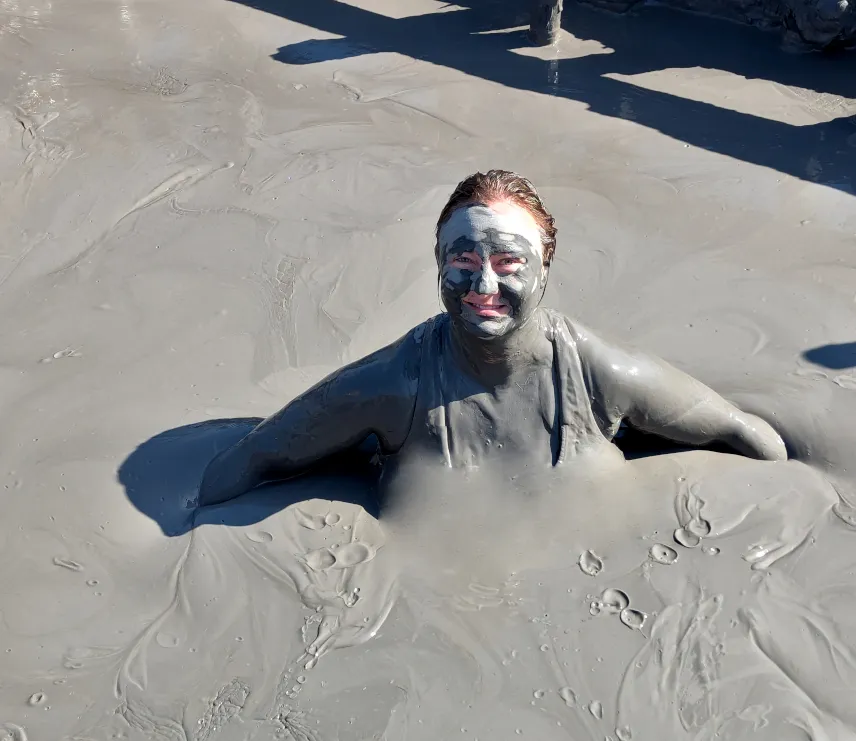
161	477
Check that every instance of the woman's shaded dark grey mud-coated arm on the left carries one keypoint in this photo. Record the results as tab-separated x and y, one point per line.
375	395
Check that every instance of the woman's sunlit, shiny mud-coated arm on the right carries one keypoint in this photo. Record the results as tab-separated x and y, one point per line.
656	397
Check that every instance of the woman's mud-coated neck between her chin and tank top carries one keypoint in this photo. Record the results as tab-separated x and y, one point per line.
497	360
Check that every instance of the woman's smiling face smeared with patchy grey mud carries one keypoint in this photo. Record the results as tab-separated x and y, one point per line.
492	275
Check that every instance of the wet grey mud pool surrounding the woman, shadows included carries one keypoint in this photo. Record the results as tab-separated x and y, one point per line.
207	207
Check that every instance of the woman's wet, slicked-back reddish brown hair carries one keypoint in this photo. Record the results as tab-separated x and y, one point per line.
501	185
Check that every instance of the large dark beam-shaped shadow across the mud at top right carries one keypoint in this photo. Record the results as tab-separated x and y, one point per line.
479	38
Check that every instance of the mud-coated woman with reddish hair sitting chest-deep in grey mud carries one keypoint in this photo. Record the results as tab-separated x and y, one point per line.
494	376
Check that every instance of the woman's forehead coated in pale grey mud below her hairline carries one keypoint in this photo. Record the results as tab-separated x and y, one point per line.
512	226
